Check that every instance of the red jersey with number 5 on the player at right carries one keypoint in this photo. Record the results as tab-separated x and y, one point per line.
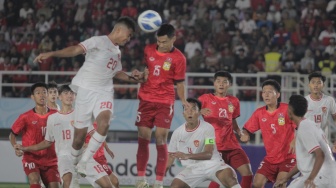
277	132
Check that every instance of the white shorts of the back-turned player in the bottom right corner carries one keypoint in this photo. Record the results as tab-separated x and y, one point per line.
321	181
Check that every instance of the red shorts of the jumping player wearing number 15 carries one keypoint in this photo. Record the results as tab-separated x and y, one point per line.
152	114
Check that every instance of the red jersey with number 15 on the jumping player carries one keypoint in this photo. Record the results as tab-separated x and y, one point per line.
164	69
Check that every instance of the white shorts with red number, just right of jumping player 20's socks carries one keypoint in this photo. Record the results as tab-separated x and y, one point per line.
94	171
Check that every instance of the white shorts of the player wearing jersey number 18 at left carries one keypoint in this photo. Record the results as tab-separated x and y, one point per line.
65	165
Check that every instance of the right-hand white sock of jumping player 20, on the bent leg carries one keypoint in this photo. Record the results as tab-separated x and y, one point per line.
95	142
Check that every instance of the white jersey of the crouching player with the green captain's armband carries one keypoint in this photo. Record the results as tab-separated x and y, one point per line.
193	142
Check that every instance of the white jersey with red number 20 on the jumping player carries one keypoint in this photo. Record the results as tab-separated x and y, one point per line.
102	62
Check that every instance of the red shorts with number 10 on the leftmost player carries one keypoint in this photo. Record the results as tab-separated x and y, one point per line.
48	173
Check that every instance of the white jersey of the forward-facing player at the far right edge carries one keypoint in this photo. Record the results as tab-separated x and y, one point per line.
320	111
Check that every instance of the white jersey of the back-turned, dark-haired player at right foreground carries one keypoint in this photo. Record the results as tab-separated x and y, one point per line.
309	137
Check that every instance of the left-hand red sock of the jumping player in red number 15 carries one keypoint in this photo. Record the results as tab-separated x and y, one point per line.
142	156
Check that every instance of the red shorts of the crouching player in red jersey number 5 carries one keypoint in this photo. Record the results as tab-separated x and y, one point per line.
271	171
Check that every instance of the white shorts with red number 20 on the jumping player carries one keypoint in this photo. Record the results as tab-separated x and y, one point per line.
89	104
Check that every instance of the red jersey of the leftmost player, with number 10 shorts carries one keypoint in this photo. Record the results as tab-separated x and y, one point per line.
32	127
